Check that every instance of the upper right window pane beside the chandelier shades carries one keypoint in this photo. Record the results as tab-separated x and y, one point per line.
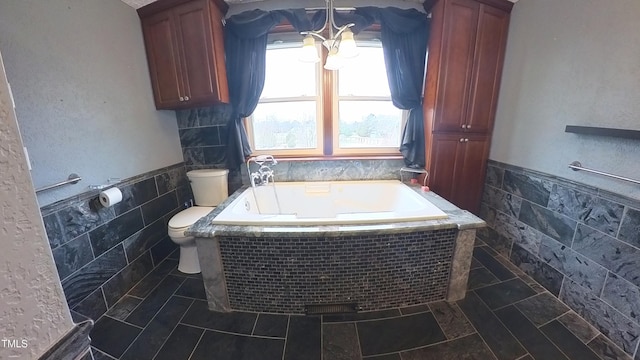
364	75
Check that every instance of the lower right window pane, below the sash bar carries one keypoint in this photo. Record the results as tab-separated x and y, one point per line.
367	124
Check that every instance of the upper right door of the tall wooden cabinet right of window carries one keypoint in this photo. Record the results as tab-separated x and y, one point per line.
489	55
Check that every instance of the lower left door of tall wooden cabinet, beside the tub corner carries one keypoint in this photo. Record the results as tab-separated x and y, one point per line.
444	160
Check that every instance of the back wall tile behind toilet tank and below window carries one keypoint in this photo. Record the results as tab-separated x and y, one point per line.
203	135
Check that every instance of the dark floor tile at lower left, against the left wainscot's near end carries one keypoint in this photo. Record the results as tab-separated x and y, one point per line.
113	336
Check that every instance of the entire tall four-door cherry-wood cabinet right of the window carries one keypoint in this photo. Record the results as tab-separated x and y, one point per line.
466	53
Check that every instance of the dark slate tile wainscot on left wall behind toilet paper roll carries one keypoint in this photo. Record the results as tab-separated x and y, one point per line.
101	253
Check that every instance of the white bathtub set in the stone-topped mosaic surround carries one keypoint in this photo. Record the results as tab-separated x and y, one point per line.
328	203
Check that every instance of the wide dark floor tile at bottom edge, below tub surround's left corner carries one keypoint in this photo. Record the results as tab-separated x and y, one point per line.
223	346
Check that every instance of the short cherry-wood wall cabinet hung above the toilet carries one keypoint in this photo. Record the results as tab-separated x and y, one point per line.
185	50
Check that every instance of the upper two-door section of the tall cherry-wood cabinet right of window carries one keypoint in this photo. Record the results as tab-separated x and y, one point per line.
466	56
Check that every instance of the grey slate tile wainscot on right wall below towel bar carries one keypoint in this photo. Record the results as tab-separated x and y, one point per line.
579	242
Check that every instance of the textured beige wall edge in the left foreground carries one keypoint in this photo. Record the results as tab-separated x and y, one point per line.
32	304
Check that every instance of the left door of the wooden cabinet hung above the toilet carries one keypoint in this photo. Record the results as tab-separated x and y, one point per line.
162	55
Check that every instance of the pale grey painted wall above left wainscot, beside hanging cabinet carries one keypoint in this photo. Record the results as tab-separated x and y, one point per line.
79	74
